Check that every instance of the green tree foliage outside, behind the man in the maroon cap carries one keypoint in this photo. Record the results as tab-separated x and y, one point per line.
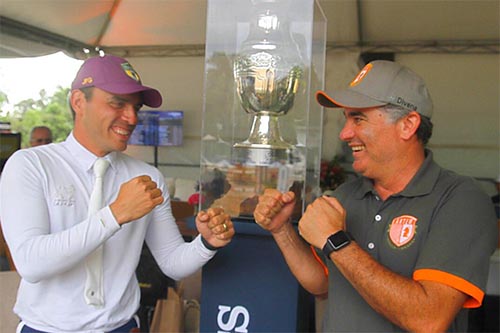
51	111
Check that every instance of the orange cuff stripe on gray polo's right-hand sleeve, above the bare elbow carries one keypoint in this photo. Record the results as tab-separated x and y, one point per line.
476	294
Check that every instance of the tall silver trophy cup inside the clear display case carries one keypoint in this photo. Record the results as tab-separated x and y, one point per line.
267	72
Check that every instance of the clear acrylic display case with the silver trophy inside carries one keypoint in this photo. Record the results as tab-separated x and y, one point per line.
261	127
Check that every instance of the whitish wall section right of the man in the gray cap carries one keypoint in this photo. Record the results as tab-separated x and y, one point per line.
465	90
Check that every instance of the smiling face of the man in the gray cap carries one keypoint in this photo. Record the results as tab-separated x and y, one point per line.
374	139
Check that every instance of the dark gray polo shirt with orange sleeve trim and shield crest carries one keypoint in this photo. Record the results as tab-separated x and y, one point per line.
441	227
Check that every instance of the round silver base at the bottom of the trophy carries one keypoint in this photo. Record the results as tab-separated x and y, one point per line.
260	154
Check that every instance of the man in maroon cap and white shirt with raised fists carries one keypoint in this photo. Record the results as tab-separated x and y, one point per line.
44	198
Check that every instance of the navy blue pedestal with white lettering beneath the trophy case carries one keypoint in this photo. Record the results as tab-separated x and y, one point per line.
235	282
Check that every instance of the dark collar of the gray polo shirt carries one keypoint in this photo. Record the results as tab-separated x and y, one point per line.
421	184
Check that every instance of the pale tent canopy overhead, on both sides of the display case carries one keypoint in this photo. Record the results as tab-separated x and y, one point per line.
177	27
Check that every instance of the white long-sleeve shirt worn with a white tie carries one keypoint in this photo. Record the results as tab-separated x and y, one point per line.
44	196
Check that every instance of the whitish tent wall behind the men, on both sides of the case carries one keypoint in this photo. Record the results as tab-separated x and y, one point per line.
465	90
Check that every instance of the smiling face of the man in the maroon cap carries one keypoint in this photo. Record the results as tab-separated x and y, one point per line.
104	122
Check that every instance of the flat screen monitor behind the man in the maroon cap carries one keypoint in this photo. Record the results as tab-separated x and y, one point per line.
158	128
